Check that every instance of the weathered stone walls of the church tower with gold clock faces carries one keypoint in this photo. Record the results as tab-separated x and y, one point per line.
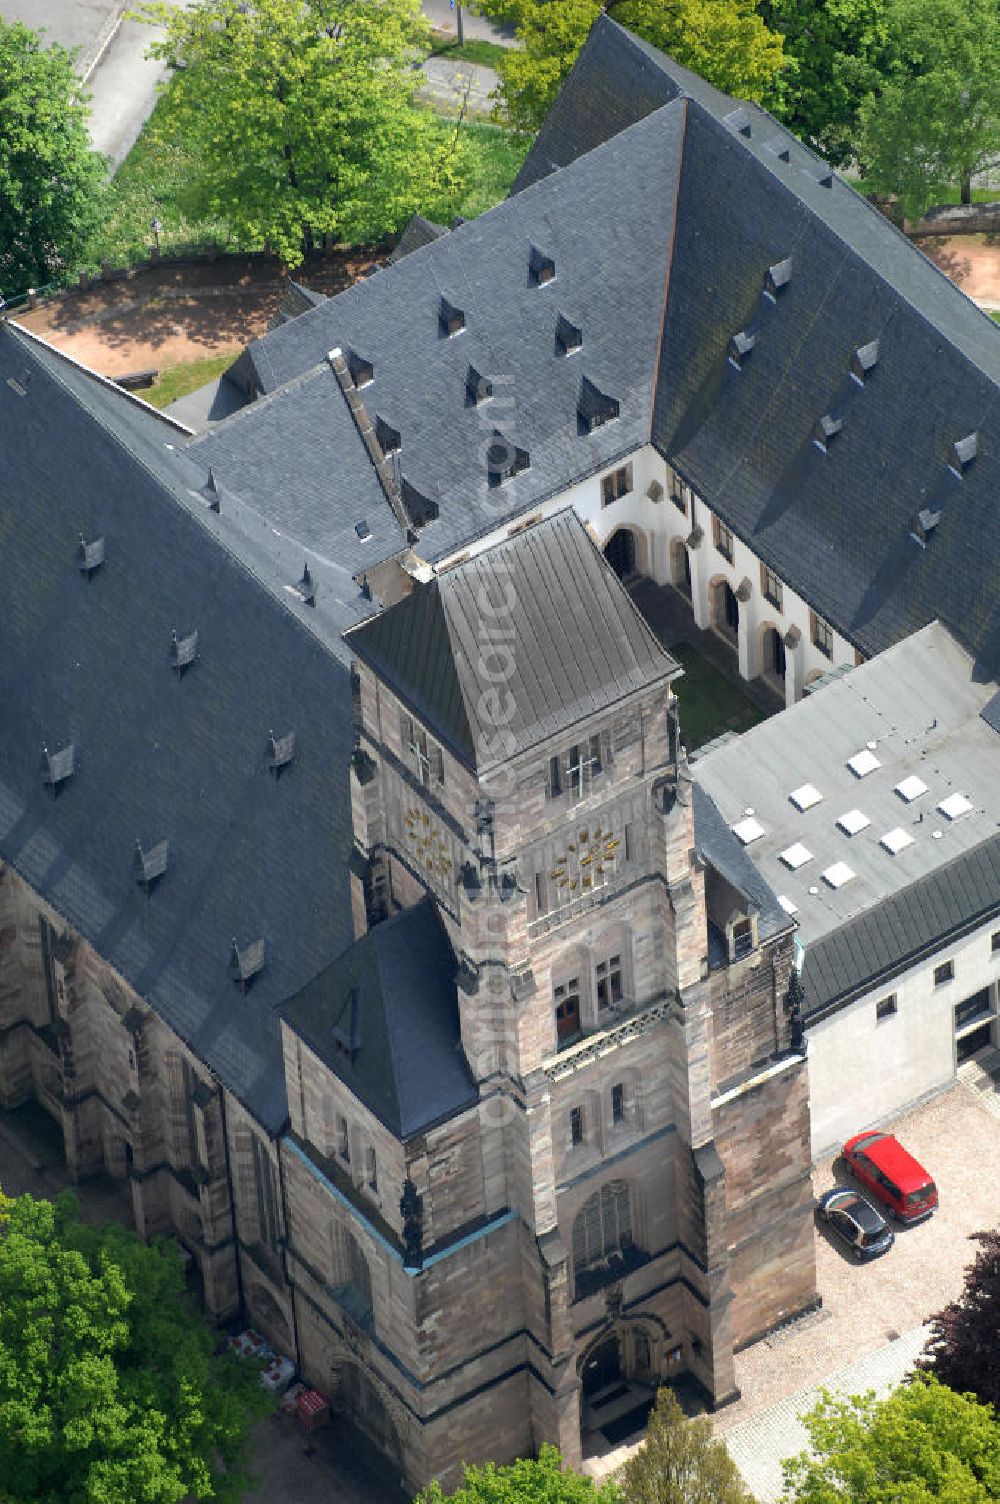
626	1196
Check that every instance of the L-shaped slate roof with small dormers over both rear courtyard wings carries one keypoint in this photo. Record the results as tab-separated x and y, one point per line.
700	198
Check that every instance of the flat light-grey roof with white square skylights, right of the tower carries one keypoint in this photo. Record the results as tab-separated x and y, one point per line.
918	711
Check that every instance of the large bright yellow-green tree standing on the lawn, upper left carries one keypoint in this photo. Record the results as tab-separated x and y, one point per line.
302	117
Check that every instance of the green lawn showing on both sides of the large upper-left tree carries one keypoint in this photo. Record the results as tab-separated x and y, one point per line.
154	184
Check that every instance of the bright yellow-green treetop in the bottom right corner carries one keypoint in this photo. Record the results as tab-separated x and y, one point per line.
923	1445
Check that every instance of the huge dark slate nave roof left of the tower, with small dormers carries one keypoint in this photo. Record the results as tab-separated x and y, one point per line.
160	756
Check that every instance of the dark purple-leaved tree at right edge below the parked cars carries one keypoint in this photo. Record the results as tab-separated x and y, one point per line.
965	1345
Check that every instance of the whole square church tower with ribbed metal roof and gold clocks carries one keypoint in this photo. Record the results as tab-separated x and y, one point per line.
521	790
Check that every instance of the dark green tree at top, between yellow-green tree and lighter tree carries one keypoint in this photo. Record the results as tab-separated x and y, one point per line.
837	53
